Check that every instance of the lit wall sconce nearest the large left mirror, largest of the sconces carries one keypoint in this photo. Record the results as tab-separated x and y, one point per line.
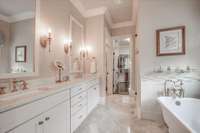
46	40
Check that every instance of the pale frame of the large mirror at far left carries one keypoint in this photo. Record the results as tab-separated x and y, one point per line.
35	51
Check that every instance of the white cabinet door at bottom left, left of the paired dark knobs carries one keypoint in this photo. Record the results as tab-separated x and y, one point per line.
32	126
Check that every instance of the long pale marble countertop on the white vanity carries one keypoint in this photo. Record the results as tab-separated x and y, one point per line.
20	98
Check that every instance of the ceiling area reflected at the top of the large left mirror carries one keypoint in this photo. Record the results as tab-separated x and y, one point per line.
13	7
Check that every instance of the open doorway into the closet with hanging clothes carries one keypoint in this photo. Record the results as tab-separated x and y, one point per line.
122	65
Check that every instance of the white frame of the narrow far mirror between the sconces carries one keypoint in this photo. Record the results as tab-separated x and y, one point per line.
73	19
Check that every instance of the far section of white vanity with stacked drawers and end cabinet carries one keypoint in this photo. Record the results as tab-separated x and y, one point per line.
83	100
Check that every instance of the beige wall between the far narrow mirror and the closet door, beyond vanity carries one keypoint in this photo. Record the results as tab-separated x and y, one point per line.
95	40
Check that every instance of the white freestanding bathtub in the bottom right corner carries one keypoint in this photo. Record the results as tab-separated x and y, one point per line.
182	115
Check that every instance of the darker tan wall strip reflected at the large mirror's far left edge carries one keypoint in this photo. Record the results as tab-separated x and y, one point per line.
5	51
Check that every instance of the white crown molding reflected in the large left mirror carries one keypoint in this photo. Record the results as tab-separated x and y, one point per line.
17	17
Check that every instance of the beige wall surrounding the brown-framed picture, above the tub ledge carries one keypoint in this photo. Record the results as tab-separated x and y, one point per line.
158	14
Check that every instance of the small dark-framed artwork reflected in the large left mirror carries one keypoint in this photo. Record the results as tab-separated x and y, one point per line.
20	53
